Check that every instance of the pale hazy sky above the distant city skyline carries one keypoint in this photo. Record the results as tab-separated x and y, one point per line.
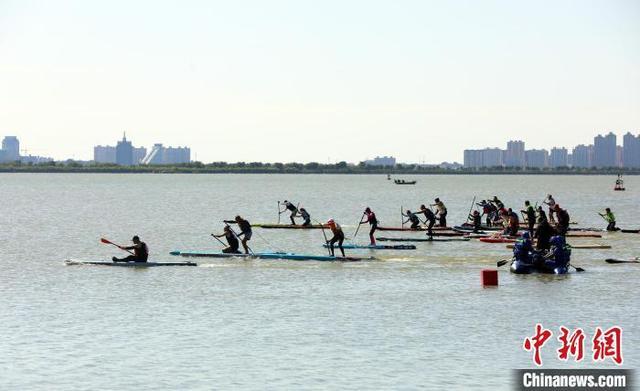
312	81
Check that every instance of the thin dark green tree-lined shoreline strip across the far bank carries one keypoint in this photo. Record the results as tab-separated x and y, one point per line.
294	168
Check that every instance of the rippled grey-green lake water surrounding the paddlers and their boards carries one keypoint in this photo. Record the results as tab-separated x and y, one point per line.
411	320
